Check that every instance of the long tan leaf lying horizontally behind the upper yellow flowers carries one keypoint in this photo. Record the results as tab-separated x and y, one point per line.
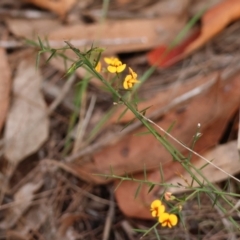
121	36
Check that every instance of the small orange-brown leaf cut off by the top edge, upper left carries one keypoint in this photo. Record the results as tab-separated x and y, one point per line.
61	7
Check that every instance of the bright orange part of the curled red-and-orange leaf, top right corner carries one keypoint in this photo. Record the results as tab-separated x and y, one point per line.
214	21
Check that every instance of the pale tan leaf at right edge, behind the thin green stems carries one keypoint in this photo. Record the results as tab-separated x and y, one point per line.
224	156
